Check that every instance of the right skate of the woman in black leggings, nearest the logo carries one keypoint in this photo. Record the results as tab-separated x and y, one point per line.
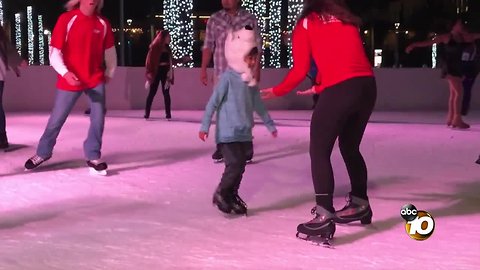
356	209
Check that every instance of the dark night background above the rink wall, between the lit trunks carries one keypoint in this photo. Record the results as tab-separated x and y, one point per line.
421	18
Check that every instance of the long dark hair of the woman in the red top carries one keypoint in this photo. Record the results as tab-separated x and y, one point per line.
336	8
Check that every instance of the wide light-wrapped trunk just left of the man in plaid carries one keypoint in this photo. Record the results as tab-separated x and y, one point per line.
179	23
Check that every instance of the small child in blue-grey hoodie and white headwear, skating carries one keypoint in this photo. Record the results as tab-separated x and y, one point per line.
234	99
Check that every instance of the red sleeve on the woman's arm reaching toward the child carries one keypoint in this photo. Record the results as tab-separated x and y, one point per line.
301	61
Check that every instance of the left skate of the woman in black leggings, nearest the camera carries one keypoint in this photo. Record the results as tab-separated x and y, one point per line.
320	229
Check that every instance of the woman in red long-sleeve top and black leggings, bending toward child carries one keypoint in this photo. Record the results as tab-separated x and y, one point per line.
328	33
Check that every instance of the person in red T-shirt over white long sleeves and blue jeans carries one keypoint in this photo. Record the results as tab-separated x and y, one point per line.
82	41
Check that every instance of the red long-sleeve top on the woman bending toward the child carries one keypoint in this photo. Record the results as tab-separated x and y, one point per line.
336	48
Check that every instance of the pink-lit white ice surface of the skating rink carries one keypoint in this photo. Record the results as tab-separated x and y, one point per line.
154	209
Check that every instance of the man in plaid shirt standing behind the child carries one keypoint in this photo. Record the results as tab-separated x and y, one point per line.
231	18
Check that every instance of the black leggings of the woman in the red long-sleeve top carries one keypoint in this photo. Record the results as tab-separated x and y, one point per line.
342	111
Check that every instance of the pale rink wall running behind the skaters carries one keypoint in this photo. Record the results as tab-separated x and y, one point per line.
415	89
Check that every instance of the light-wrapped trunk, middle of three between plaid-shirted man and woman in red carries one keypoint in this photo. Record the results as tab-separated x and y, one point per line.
275	32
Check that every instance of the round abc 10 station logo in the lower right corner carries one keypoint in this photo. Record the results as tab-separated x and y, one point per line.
419	224
